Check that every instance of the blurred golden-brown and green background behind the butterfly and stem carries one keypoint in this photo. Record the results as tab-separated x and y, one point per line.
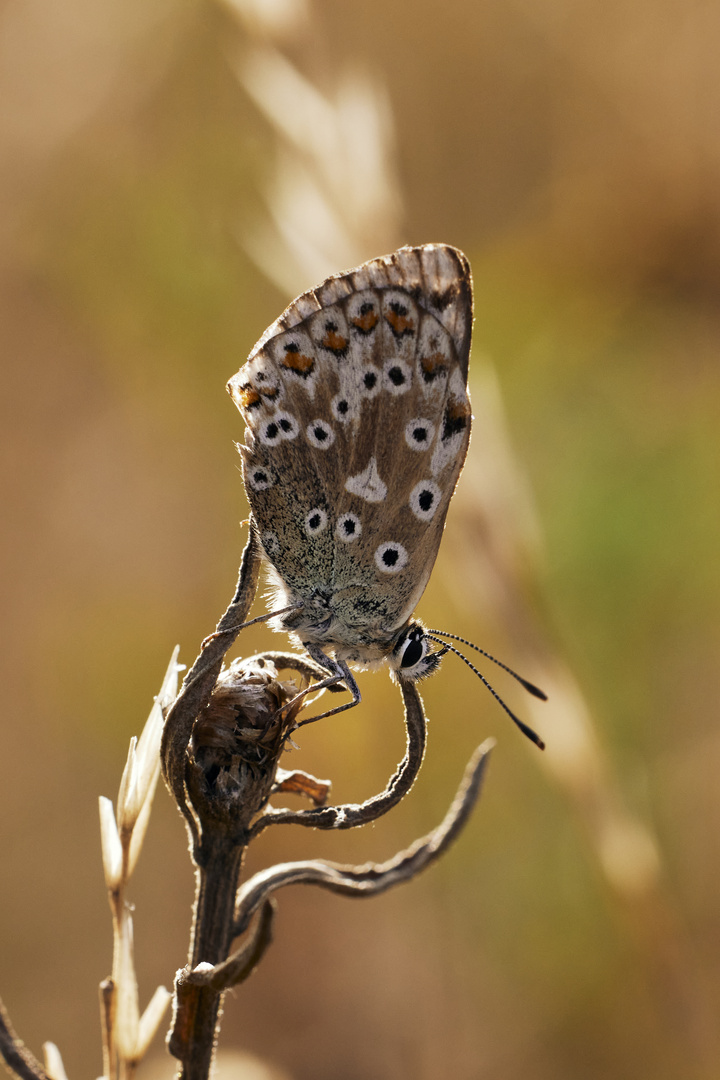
171	174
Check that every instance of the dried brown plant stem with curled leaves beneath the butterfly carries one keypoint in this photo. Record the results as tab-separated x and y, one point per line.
224	740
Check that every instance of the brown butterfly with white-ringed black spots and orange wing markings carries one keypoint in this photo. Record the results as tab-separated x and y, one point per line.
358	425
